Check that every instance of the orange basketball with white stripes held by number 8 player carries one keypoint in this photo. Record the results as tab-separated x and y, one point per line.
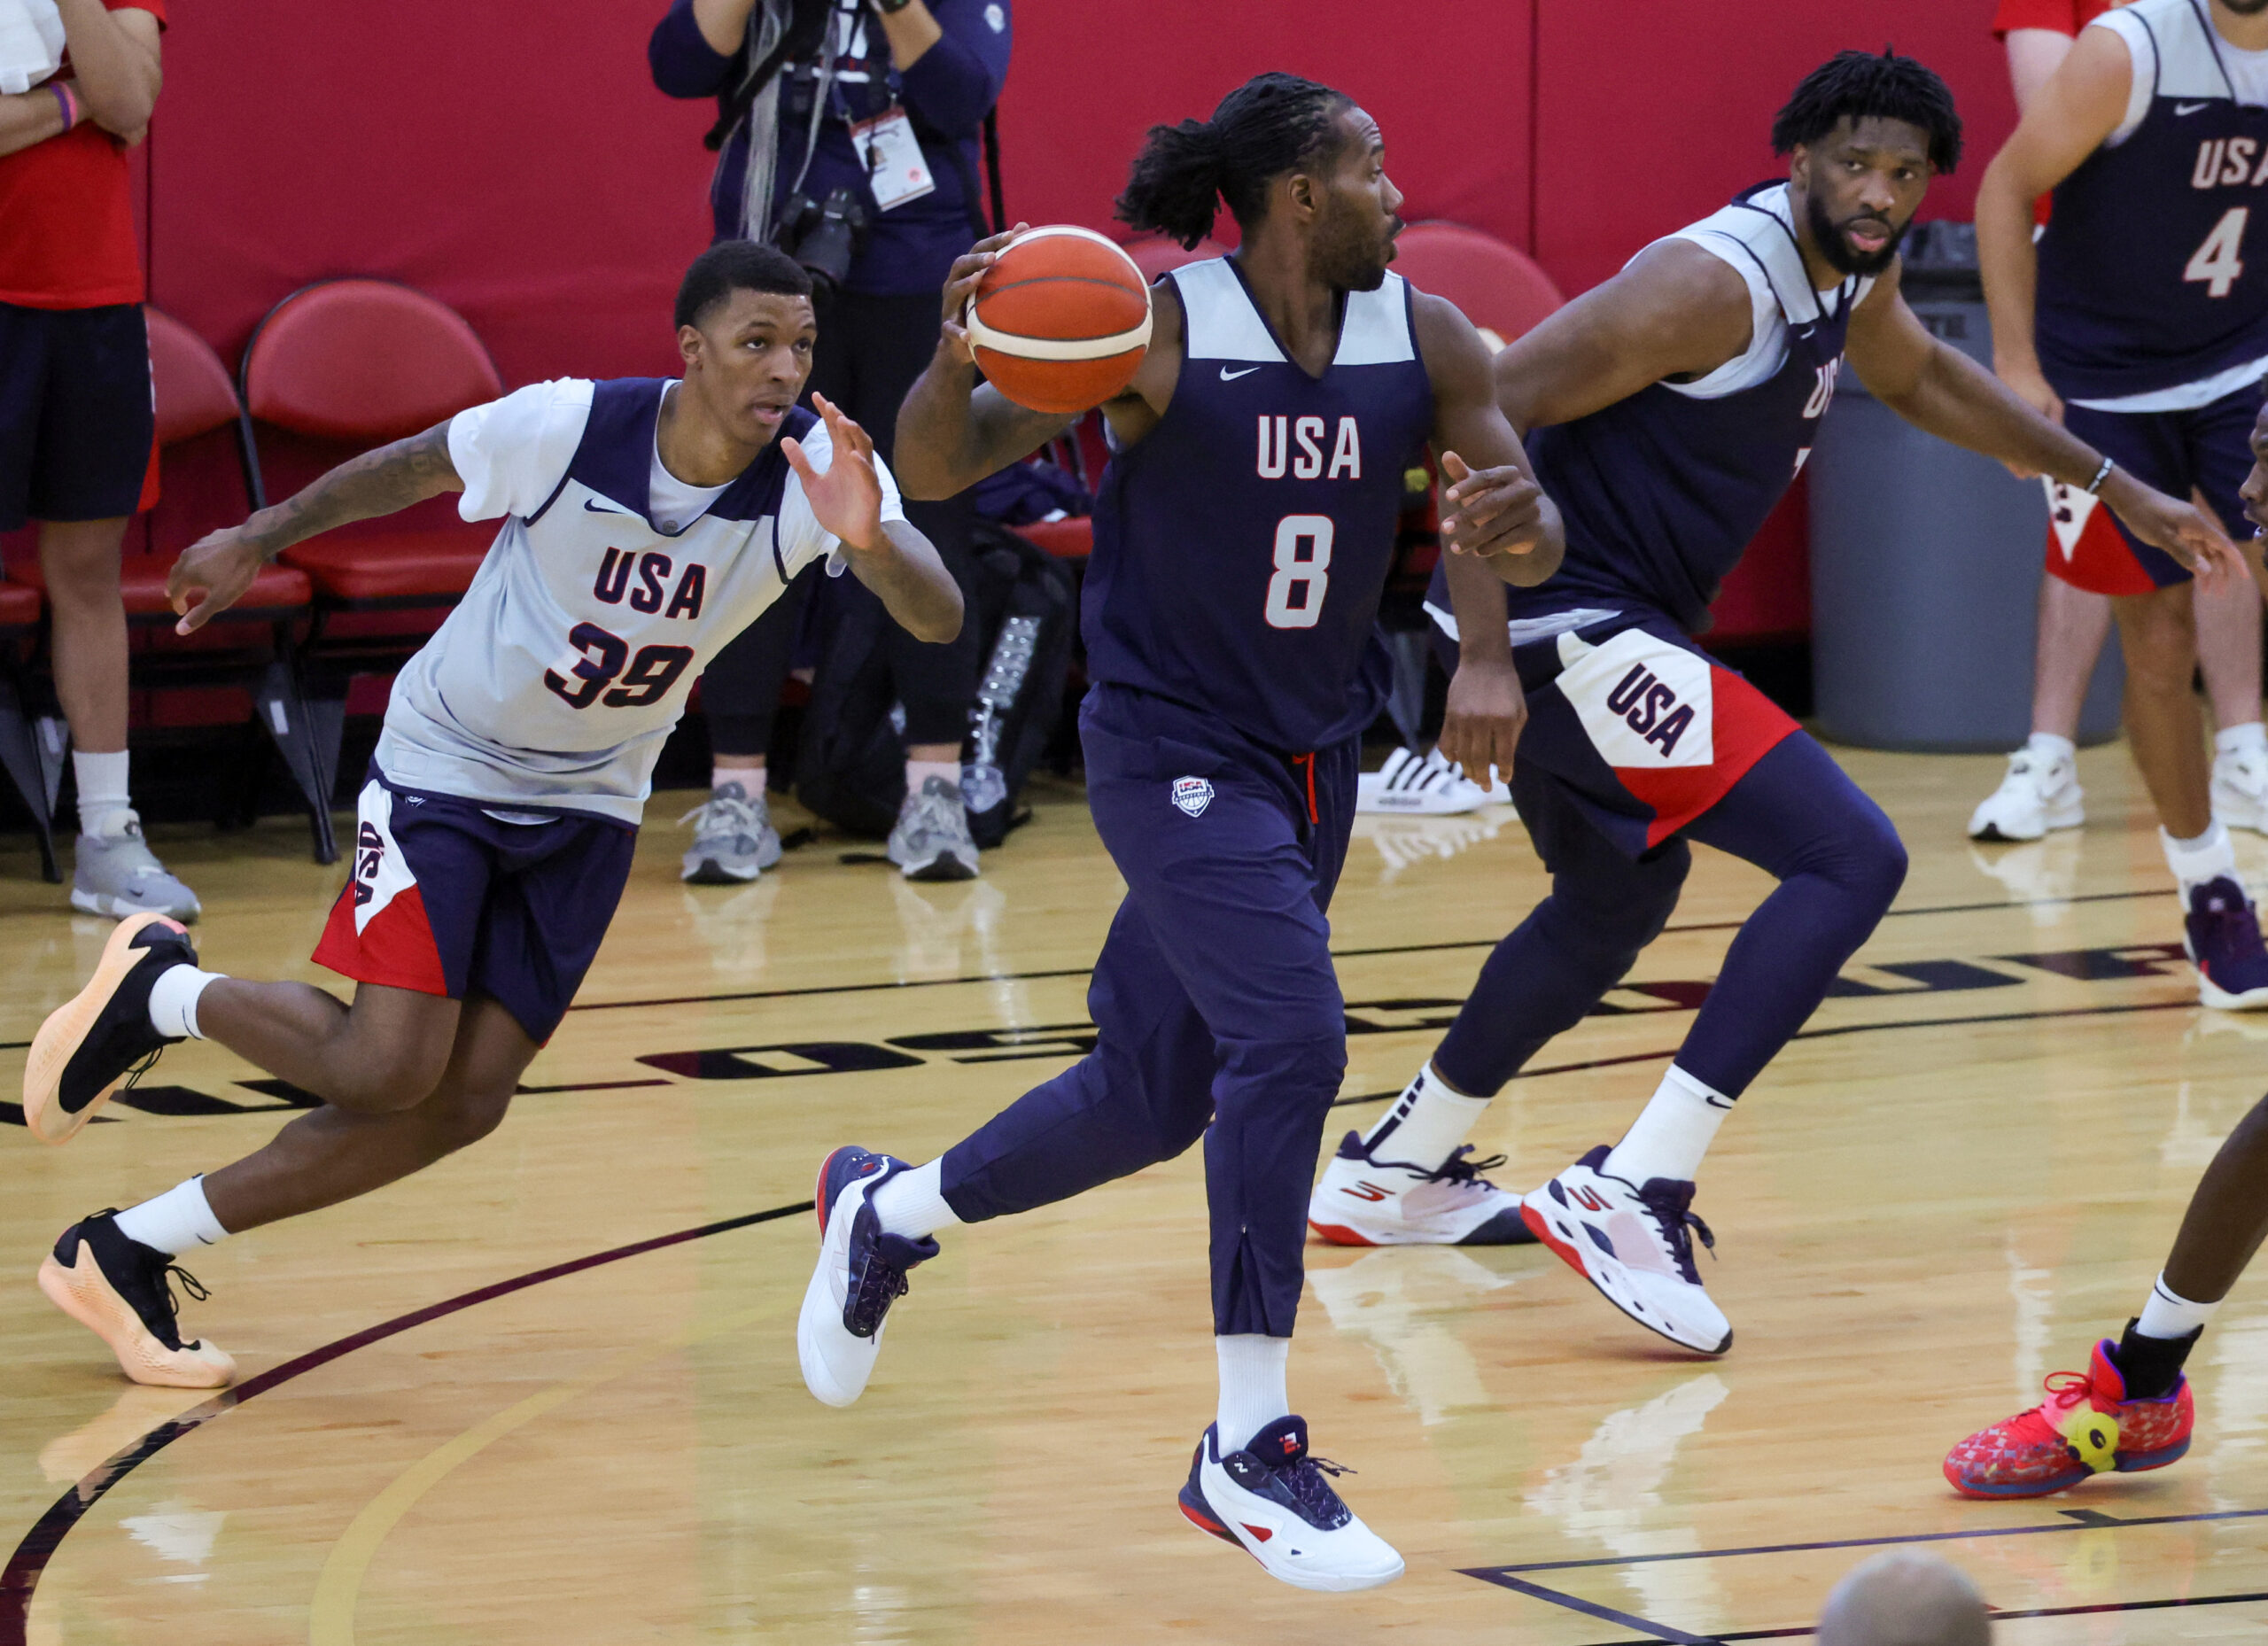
1060	321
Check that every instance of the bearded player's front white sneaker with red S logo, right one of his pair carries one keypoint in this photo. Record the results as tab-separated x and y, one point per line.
1634	1246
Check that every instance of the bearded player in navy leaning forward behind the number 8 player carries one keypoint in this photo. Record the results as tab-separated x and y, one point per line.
1666	414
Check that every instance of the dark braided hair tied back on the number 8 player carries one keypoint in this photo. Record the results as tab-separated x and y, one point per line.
1267	128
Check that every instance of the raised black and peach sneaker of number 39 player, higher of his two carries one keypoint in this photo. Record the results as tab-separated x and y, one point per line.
101	1037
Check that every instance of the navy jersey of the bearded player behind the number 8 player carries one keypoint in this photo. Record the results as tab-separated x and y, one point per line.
1664	491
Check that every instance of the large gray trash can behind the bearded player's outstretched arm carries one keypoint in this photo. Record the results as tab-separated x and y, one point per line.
1927	559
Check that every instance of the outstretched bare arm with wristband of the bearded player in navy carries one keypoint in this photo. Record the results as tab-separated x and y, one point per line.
1943	391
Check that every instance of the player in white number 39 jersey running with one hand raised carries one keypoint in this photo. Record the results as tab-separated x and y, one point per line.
643	525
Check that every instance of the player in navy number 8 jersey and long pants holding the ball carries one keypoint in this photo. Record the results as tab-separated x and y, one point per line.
1242	545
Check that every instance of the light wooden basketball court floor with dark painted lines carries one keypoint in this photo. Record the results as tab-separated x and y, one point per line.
548	1391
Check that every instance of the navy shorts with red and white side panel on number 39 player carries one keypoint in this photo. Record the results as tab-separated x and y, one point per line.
448	899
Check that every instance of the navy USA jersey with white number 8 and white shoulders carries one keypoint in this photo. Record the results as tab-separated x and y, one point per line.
1244	543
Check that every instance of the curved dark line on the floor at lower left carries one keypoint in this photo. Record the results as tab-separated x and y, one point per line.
19	1581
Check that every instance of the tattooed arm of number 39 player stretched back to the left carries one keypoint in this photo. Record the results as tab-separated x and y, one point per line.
214	572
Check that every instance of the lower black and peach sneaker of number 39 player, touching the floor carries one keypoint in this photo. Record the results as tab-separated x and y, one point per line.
124	1293
